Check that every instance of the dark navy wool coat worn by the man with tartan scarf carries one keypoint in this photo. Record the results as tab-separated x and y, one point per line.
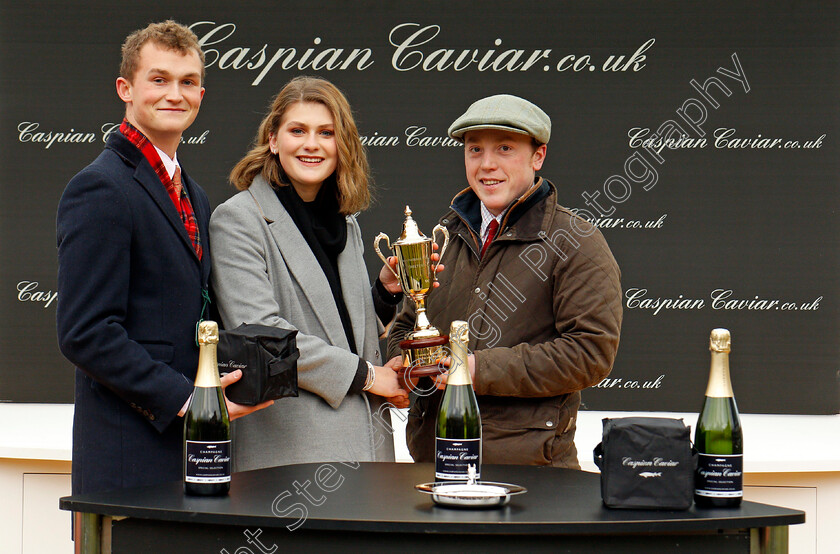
129	297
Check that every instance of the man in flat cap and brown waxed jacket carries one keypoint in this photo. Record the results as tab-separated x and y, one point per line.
538	285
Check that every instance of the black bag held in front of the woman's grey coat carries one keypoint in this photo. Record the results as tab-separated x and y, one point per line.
267	357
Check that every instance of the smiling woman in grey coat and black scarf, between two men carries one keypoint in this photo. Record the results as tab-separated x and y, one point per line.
287	252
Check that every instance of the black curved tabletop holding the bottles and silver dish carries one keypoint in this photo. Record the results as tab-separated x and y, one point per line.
381	497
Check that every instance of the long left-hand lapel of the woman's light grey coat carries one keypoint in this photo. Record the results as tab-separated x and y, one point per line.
300	261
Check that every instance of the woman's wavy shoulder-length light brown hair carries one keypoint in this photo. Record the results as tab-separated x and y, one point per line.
352	174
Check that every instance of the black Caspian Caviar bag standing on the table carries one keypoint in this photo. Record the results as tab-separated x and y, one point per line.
646	462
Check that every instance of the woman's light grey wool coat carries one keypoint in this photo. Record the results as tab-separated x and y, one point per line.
264	272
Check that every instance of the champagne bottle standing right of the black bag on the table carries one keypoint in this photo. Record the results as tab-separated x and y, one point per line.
718	437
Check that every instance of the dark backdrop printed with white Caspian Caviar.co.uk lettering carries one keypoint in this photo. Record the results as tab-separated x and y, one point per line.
694	225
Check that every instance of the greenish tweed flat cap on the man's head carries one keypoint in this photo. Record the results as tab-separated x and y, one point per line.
505	112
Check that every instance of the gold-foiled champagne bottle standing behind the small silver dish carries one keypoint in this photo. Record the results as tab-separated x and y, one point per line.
458	427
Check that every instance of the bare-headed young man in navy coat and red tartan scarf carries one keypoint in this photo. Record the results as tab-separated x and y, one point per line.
133	268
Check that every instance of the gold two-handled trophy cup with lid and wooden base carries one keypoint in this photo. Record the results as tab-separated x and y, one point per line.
423	347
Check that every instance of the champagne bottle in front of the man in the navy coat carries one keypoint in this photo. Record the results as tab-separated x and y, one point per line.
206	423
